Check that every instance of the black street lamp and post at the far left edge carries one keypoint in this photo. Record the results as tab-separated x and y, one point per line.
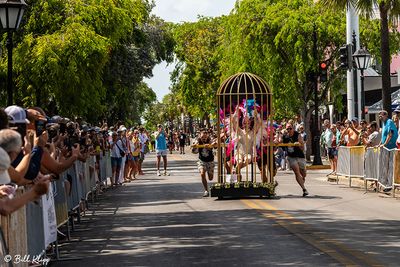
11	12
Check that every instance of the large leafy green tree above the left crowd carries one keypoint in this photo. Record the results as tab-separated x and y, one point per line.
88	58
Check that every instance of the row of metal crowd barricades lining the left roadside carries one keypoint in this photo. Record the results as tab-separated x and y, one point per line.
27	231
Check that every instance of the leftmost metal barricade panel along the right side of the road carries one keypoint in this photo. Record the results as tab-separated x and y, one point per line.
351	162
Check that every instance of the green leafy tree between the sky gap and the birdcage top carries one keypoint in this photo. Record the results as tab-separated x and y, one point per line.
197	77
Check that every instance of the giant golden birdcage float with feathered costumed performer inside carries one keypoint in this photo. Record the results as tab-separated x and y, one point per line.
246	165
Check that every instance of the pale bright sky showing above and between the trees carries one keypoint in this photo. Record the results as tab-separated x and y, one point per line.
179	11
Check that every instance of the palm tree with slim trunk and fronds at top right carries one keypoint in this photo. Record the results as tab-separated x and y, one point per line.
389	11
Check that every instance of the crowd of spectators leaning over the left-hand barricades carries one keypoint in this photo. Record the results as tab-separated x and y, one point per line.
35	149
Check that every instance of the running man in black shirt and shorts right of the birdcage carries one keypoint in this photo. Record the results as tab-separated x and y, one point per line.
296	156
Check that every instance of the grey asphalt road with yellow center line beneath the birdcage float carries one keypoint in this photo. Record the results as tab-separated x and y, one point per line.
165	221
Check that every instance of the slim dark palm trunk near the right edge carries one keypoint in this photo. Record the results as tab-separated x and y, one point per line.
385	53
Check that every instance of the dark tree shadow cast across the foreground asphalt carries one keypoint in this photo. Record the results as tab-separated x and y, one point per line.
153	236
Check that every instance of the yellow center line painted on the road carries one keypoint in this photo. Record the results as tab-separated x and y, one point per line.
322	242
